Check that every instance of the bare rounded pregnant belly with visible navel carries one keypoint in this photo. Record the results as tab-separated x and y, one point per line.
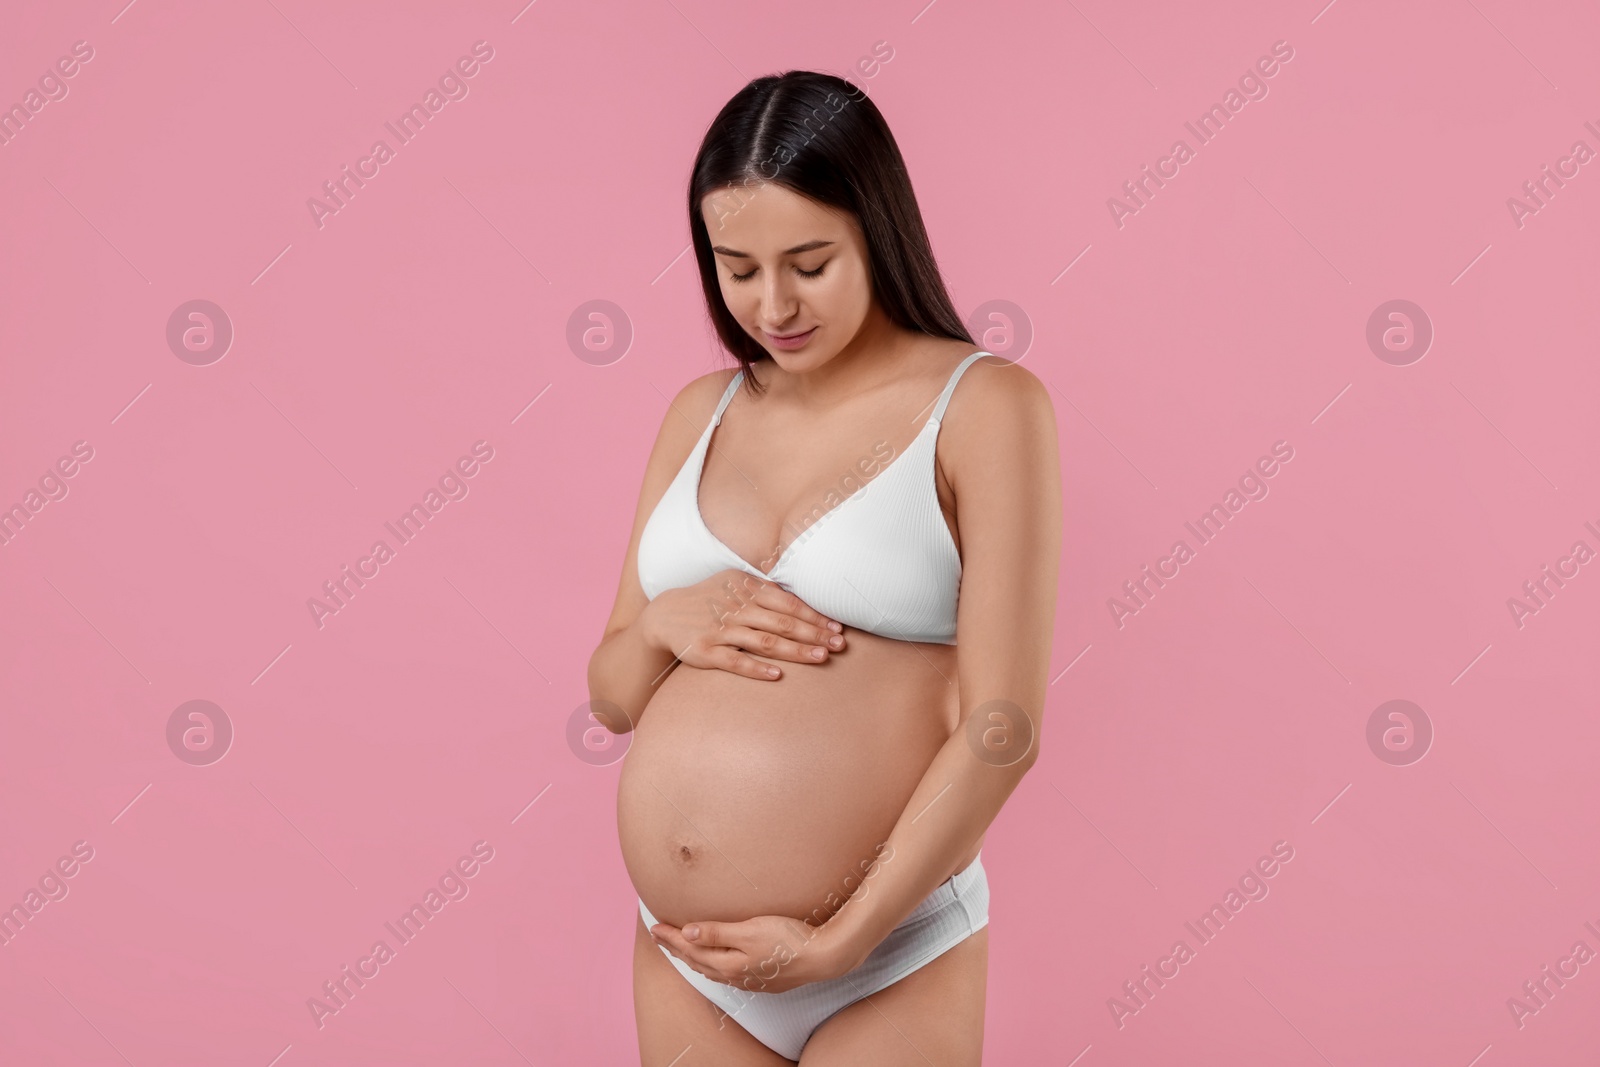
743	797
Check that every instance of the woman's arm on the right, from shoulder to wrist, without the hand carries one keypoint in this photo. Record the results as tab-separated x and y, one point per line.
1004	466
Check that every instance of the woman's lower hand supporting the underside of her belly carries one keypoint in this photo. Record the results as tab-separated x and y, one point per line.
767	954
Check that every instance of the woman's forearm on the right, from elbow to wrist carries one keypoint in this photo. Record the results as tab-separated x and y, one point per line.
953	807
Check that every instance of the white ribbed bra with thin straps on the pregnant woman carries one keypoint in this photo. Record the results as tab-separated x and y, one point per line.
882	561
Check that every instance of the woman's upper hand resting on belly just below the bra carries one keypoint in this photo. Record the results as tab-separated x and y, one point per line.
721	621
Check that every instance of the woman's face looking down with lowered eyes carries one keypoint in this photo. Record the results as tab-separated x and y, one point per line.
790	268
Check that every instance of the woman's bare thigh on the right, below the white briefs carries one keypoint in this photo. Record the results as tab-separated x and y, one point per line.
935	1017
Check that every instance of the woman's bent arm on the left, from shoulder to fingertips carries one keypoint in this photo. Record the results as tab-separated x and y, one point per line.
700	625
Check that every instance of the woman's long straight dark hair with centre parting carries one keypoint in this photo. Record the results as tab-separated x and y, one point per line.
823	138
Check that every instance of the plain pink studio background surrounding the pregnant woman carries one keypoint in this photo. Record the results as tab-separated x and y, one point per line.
372	353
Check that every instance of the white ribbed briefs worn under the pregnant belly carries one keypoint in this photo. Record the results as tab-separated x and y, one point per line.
785	1021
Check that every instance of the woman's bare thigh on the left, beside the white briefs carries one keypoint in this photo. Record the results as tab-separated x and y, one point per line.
678	1026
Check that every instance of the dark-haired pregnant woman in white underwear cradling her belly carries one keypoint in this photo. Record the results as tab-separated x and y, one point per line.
833	629
